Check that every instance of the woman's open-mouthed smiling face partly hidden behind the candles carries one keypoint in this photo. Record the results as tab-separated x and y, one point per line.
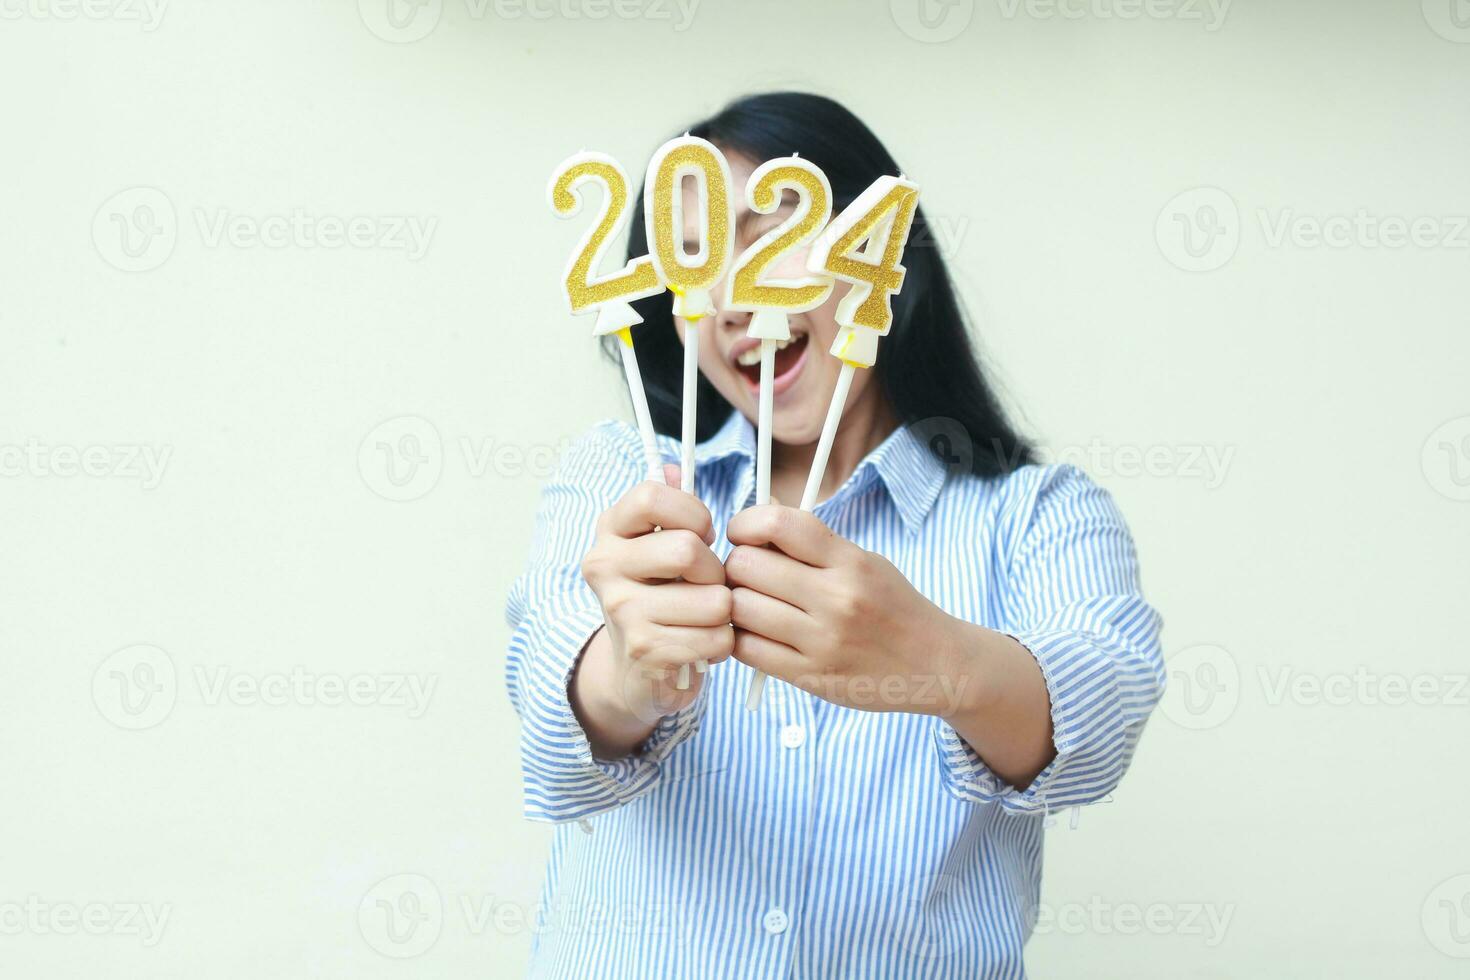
806	372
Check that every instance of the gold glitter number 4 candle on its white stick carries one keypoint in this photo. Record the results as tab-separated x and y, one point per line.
878	221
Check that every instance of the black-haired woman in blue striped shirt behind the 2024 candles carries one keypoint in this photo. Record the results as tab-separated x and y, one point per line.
956	638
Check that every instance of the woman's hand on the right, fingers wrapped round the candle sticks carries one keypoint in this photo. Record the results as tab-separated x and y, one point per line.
818	612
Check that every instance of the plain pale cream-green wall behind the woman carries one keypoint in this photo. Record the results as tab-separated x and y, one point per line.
1216	256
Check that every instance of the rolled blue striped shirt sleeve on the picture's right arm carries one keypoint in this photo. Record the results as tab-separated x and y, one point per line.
1074	602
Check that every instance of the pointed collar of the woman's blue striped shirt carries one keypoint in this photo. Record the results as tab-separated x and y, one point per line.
912	474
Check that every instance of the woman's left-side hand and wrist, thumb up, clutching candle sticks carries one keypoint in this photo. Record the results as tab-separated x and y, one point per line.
665	606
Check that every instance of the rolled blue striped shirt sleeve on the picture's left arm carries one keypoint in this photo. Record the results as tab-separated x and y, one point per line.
553	613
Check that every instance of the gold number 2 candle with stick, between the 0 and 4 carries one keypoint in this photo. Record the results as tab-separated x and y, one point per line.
759	287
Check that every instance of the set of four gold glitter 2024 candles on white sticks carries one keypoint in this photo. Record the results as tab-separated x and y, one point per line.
864	248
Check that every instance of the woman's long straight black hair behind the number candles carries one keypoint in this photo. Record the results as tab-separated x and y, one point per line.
927	367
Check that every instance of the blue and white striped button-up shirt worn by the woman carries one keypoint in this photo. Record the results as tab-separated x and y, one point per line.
809	840
